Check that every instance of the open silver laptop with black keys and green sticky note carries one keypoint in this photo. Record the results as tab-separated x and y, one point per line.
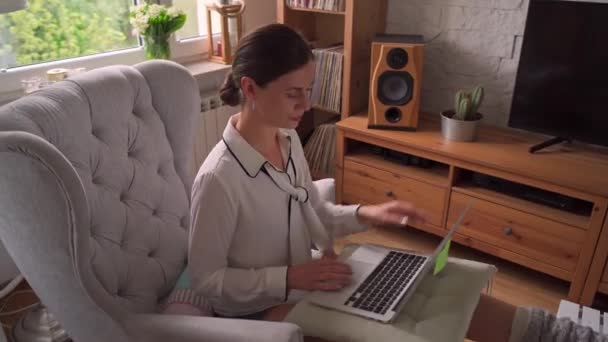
384	279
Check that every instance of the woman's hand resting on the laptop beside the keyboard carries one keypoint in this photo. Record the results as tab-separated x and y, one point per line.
324	274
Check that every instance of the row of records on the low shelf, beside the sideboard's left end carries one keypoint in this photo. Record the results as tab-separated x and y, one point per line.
320	151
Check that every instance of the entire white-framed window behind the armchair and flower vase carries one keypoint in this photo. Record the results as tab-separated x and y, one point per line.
58	30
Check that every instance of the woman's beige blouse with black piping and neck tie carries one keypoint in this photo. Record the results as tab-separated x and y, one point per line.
250	221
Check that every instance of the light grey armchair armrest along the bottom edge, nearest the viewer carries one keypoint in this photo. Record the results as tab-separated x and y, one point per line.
162	328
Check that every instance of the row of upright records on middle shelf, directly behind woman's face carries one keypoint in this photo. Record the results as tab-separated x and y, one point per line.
327	89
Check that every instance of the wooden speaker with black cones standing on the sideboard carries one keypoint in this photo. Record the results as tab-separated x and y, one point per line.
395	82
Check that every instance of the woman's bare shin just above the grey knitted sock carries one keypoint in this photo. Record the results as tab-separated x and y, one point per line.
492	320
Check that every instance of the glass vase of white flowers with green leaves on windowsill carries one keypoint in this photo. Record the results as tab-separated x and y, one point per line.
156	23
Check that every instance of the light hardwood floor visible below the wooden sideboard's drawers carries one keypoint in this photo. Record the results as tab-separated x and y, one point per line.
513	283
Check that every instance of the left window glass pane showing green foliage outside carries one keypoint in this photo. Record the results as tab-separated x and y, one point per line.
50	30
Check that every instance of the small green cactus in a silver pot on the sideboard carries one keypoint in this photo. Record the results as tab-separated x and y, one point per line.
461	123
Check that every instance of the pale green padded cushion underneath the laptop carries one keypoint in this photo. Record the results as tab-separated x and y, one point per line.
439	311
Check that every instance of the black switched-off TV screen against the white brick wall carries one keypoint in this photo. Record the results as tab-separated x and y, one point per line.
562	79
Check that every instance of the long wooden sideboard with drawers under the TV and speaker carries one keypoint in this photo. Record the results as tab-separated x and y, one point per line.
564	244
